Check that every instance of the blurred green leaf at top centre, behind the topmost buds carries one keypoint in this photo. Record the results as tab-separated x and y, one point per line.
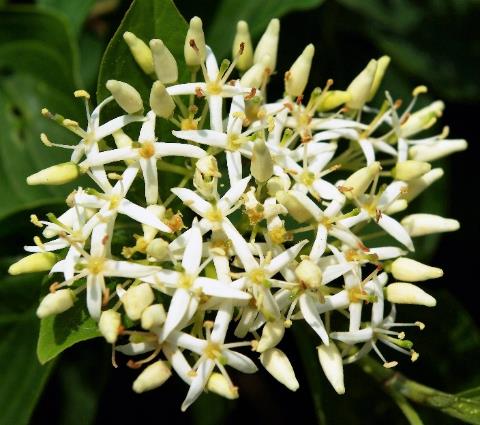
222	30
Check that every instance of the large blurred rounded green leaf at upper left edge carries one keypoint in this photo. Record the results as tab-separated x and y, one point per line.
37	62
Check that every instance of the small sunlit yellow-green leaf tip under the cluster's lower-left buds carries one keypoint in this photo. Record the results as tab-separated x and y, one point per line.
60	332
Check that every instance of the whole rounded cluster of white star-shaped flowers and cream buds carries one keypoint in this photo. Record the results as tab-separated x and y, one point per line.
272	220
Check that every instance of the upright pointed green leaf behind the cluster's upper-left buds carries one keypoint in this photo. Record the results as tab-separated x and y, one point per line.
147	19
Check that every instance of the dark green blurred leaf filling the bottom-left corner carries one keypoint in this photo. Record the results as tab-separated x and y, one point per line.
23	378
